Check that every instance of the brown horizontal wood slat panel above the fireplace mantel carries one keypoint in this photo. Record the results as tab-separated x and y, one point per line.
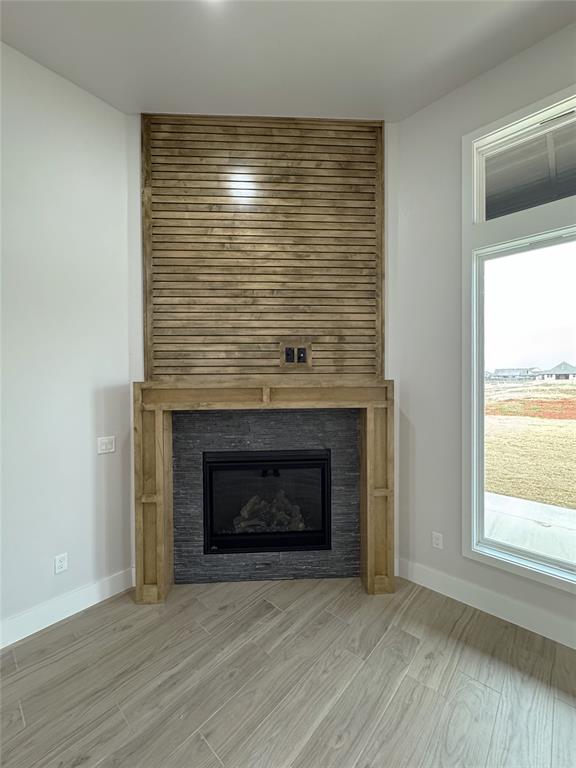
258	232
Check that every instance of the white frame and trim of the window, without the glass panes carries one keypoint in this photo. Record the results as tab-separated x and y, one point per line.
483	239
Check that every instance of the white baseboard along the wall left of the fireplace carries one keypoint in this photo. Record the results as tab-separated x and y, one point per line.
28	622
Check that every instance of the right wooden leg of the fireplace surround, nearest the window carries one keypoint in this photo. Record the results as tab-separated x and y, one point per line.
377	499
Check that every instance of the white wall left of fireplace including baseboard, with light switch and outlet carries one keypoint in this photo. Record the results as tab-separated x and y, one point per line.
65	361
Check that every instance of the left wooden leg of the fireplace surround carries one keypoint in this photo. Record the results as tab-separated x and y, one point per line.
153	502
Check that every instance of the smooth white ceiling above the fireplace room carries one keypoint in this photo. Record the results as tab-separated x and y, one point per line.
375	59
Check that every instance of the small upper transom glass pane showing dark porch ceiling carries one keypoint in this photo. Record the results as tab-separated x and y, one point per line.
534	172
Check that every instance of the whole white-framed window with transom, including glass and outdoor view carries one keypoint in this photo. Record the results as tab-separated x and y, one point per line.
519	344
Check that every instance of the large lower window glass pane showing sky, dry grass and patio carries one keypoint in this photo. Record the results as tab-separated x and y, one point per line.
530	402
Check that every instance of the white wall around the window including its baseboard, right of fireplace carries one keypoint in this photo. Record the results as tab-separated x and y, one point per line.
424	332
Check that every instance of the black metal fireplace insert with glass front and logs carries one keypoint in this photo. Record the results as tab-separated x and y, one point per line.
266	501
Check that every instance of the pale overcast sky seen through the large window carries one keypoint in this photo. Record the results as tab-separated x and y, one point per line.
530	308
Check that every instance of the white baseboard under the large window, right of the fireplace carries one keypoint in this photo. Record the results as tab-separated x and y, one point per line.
526	615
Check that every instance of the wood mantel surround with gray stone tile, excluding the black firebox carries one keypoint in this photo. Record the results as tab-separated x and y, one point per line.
175	424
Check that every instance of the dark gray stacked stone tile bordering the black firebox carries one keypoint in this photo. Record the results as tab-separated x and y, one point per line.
199	431
